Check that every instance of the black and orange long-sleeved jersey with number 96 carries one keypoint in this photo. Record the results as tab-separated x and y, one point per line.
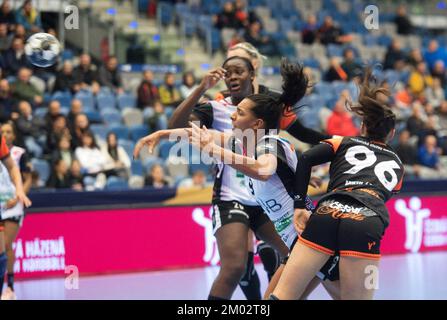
366	170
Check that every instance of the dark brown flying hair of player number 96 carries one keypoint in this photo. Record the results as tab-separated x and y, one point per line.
374	109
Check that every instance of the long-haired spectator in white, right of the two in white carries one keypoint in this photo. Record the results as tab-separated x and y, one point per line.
119	162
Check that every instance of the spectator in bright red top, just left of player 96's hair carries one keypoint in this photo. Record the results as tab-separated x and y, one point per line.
340	122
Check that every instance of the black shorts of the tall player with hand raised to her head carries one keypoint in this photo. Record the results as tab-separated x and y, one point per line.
225	212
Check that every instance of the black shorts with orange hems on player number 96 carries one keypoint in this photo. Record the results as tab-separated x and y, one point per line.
344	225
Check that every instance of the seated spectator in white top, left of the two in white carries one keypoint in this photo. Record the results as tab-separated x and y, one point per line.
90	157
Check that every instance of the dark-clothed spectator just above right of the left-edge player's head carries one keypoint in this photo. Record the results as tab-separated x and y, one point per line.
26	124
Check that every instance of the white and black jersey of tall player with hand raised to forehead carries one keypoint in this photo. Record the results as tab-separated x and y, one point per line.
229	184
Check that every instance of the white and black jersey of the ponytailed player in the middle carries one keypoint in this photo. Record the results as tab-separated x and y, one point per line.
276	195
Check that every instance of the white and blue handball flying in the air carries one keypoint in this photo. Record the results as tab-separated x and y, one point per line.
42	49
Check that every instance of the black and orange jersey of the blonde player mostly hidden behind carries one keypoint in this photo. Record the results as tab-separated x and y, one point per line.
289	120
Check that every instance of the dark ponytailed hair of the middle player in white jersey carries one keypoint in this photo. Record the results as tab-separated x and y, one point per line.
295	84
